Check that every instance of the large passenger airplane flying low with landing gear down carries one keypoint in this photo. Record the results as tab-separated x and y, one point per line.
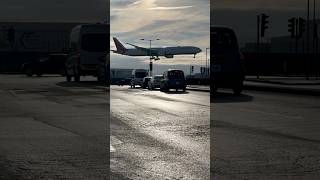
154	53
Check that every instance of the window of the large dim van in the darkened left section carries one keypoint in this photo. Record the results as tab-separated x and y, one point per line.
95	42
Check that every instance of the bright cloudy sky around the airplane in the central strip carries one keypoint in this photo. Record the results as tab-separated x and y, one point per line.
175	23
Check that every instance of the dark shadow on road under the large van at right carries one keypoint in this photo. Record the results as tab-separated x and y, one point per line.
223	97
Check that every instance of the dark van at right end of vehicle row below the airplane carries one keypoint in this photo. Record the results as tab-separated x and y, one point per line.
173	79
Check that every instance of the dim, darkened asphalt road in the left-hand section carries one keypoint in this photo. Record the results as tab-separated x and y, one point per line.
50	129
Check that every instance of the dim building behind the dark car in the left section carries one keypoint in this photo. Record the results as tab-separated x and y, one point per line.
21	42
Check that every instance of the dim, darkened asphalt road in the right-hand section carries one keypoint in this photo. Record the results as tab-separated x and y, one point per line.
264	135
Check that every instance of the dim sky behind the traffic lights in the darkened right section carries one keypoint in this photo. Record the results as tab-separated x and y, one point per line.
241	15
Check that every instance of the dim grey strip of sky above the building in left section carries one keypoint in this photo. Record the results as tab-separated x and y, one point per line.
54	10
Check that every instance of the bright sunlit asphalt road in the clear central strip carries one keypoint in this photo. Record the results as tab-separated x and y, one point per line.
157	135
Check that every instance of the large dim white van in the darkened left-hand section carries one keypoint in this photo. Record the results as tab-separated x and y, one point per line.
89	44
